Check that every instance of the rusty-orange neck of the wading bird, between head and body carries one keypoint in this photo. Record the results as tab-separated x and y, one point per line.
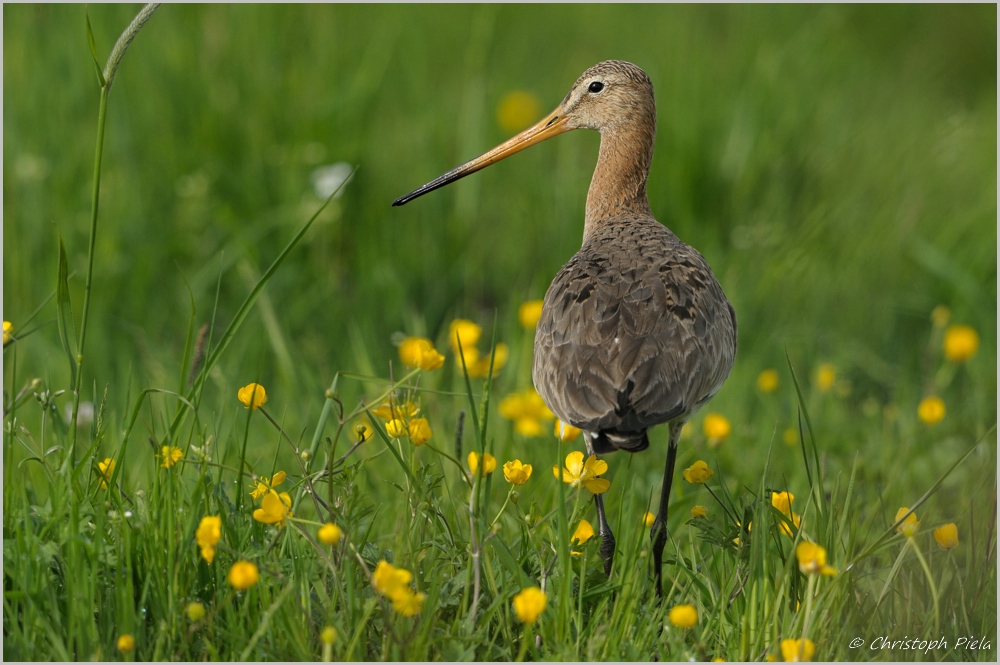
618	188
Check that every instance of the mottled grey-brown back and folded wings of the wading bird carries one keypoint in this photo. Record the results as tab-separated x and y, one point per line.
635	331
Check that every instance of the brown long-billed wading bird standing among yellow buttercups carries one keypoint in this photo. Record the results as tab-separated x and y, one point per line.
635	329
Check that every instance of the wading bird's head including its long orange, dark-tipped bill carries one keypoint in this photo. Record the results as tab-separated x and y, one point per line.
610	95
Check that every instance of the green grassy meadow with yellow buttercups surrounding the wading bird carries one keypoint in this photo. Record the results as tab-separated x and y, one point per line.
836	165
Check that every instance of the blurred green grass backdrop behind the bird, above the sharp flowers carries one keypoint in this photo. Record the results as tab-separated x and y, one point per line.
836	165
